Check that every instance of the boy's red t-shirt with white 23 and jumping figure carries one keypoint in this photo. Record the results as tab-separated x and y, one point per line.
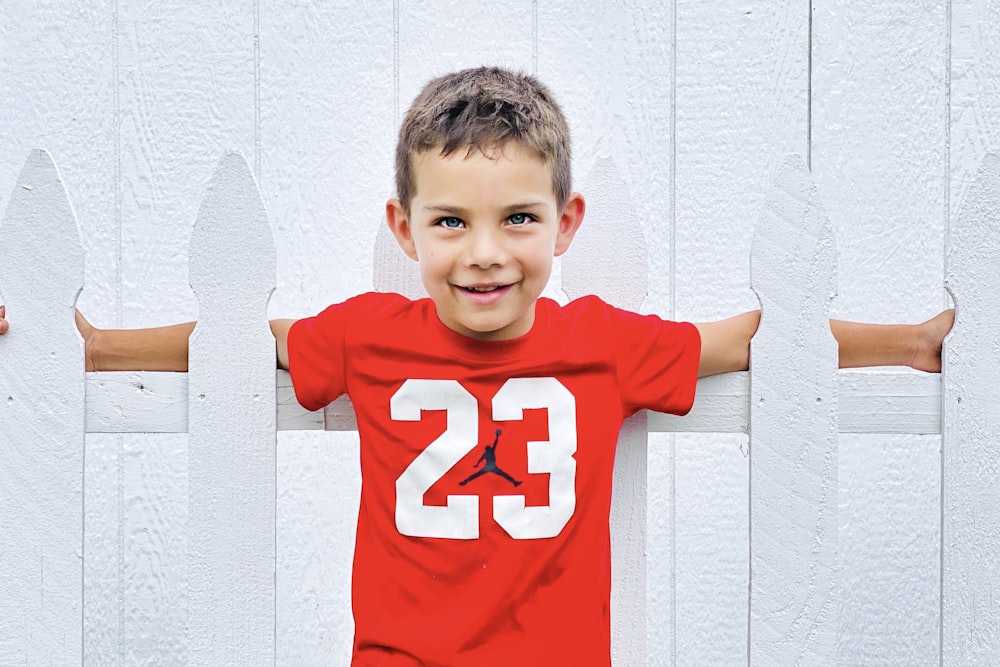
486	471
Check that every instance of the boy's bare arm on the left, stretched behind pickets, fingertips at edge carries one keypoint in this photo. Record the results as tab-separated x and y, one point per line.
153	349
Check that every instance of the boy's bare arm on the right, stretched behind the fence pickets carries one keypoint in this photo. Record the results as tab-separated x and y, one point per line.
725	344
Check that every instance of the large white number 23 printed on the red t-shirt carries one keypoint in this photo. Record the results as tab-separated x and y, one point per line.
459	519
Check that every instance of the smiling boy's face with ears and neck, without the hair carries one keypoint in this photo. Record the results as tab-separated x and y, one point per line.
485	230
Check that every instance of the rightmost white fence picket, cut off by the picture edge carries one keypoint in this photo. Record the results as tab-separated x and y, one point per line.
971	430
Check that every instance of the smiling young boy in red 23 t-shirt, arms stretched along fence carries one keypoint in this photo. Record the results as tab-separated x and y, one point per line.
507	563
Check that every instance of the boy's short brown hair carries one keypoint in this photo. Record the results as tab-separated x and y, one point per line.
483	109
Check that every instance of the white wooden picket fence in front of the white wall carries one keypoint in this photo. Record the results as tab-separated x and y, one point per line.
793	404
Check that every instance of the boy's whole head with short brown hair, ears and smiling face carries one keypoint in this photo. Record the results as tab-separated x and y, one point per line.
484	202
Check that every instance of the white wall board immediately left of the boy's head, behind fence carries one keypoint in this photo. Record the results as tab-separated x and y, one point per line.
327	129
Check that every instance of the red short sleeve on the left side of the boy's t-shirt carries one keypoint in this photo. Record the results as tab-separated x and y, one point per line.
316	356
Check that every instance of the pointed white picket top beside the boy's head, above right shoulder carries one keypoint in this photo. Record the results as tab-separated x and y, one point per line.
608	256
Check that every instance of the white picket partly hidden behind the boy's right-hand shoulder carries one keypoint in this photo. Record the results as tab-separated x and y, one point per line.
608	258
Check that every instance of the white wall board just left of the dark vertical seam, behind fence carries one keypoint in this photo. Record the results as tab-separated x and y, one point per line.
742	103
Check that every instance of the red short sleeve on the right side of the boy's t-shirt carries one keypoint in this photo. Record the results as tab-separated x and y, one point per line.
657	362
